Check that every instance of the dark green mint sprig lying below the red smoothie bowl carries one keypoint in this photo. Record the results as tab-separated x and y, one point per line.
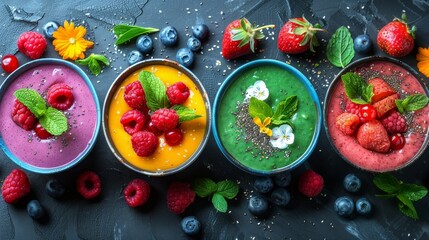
406	193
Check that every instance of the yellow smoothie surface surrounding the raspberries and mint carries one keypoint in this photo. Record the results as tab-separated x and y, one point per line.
165	157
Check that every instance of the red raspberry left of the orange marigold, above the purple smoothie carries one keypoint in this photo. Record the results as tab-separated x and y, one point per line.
32	44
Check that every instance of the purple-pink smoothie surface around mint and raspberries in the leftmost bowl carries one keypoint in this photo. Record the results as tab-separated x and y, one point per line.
81	117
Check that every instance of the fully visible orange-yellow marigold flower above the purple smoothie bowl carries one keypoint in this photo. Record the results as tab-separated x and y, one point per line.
69	41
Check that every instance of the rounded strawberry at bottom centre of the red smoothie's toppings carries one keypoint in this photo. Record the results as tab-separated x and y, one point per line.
373	136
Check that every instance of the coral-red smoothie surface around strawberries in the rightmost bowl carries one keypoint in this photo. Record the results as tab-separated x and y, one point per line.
405	84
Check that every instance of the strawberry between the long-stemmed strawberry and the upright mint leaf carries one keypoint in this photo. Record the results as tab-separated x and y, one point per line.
298	35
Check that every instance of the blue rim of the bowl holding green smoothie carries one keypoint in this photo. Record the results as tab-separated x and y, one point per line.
301	77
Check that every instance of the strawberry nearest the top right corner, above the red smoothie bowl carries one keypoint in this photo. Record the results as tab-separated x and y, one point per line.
396	38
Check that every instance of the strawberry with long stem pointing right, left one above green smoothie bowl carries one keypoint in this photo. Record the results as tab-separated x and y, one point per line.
241	38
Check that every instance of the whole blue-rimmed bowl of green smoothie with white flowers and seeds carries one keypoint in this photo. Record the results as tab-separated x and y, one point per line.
266	117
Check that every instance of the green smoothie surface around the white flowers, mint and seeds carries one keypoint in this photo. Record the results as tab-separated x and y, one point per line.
281	84
